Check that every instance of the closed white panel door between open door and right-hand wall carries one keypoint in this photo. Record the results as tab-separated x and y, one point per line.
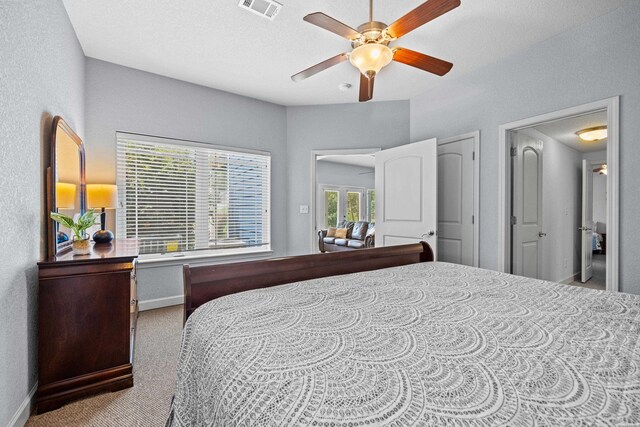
455	201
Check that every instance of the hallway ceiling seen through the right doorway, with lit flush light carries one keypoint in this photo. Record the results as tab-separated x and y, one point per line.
564	131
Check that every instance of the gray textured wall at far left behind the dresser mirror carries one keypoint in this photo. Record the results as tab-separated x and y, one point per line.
41	75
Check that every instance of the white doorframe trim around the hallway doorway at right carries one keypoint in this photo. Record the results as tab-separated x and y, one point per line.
612	107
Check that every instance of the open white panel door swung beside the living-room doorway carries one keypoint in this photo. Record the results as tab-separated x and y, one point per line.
407	194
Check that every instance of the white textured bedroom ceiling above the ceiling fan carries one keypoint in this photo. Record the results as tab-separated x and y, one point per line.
217	44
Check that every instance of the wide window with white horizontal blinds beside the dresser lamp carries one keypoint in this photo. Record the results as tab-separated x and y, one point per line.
178	196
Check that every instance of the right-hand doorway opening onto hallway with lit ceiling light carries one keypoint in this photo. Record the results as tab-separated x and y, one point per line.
558	204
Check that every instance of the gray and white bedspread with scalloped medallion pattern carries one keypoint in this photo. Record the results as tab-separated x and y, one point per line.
424	344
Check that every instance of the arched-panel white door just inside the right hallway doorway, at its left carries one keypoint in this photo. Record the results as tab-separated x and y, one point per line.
527	207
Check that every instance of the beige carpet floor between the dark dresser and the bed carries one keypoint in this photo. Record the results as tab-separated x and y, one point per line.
154	374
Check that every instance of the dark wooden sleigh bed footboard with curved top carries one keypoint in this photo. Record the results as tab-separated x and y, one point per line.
206	283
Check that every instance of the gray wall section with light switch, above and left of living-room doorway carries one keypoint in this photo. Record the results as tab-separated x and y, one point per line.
345	126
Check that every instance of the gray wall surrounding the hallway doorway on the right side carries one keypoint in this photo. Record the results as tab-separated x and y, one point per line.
550	76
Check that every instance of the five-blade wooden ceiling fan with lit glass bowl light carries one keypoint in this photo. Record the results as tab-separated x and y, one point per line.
370	44
